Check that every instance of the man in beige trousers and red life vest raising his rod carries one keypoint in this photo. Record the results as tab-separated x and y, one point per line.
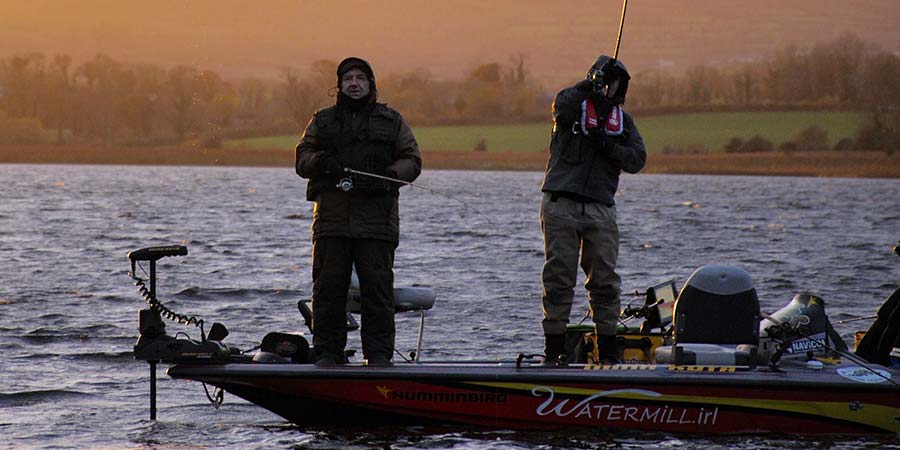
593	141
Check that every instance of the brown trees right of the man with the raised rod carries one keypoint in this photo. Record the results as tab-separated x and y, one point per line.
842	73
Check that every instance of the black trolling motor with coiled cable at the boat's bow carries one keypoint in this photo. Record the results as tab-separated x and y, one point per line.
153	344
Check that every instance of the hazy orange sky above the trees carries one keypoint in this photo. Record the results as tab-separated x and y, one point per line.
446	37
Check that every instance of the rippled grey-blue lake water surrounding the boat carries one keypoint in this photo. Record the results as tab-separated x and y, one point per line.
68	311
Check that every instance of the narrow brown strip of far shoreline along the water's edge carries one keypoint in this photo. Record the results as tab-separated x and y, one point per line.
813	164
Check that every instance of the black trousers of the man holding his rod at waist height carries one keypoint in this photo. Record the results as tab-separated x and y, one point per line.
333	261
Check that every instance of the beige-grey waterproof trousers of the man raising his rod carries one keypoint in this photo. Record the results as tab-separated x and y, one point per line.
569	227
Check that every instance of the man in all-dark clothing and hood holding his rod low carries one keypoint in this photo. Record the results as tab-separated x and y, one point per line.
356	221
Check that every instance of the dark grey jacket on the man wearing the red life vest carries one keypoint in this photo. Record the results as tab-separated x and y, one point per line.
588	166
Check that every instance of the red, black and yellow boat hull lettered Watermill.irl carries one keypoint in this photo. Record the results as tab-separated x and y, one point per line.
641	397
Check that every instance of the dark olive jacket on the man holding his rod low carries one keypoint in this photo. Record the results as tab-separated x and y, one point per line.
375	140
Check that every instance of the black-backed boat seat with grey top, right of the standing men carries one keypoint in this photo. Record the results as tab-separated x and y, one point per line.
715	321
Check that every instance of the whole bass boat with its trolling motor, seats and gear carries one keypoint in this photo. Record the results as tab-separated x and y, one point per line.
700	359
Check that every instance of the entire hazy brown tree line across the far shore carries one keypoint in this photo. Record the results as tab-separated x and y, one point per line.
105	101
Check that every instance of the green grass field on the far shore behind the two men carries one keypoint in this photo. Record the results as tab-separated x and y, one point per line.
710	130
